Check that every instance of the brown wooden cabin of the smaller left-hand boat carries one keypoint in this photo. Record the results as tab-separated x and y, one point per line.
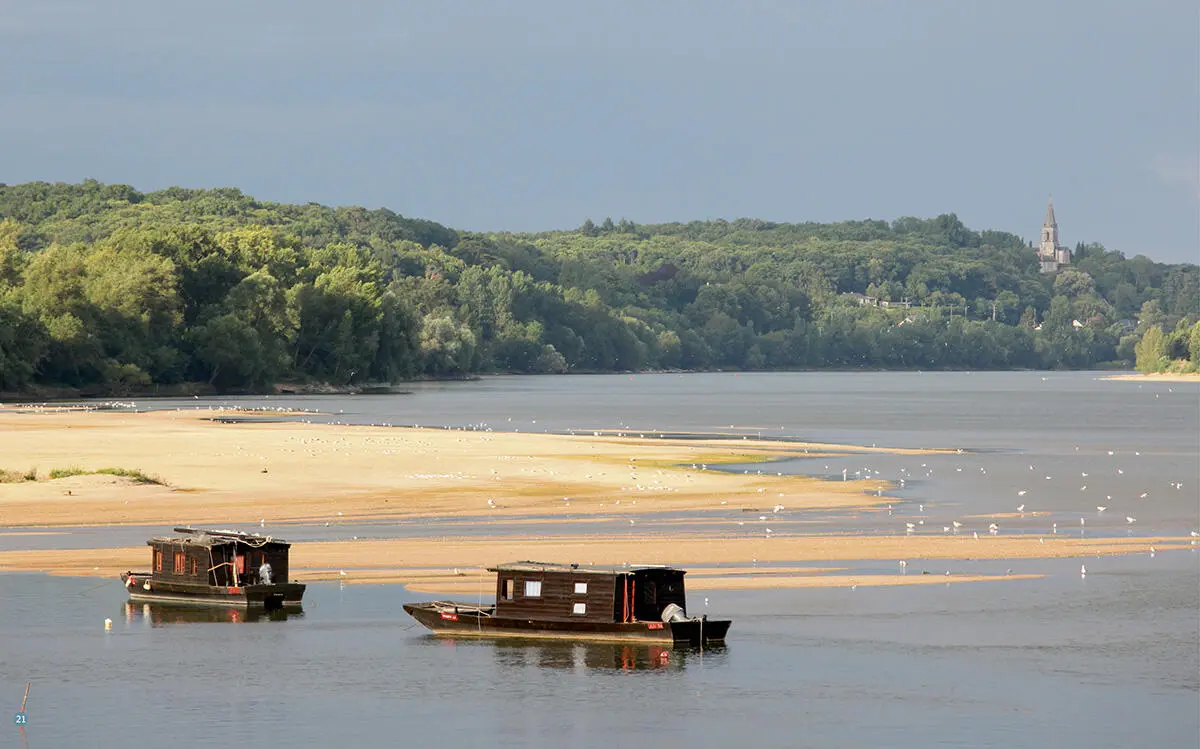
224	559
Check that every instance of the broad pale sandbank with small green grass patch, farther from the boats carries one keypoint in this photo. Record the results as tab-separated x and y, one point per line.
221	474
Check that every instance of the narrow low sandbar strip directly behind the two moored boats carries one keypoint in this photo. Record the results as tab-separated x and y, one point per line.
459	565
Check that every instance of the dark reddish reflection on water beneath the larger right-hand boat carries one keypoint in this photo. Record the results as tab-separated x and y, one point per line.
595	656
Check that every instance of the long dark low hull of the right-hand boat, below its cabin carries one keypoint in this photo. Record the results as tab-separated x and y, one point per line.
477	622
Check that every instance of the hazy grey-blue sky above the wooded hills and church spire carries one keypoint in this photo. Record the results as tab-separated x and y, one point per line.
537	115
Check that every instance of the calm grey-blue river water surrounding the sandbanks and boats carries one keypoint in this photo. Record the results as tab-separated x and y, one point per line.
1106	661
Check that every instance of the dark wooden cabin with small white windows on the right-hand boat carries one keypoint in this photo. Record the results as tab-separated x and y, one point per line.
573	594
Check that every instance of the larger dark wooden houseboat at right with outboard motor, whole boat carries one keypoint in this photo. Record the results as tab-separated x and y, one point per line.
537	600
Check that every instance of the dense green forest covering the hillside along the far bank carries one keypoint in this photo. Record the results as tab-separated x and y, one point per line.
109	290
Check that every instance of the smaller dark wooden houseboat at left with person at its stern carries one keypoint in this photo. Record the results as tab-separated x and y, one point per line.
217	568
